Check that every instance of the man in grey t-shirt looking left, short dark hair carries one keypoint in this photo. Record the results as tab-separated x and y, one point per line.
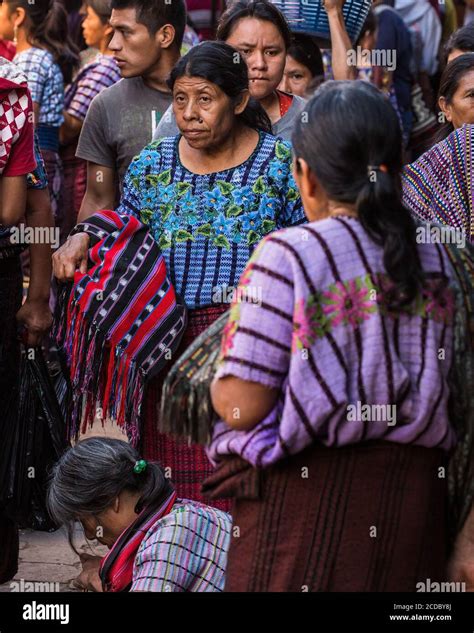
122	119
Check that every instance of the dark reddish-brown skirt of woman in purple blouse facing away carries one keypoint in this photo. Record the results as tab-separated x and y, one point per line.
370	517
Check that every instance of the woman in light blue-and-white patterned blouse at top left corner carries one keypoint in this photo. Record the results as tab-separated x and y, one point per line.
48	58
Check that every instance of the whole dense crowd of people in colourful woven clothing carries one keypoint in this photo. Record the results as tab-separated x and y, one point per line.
295	215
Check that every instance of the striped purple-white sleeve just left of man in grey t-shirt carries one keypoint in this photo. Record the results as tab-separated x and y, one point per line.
101	73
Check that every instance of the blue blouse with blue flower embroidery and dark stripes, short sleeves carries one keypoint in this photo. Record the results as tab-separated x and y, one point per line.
209	225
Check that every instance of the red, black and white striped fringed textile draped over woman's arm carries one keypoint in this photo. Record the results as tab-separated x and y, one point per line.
117	325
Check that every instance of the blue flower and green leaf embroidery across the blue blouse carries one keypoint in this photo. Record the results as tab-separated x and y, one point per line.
232	214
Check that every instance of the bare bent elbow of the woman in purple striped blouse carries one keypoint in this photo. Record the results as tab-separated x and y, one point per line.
240	403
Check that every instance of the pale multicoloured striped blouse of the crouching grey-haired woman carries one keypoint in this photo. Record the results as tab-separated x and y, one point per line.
184	551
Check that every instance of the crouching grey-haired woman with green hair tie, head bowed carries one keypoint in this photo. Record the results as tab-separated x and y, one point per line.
157	542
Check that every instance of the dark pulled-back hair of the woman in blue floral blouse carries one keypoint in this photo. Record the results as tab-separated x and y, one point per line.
223	66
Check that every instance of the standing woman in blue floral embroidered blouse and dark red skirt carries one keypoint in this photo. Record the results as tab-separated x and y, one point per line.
209	195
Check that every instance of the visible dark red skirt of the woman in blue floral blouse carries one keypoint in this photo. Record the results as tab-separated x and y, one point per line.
188	464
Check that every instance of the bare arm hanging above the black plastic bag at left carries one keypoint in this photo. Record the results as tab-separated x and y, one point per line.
35	314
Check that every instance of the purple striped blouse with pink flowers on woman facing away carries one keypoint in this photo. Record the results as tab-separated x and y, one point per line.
317	328
